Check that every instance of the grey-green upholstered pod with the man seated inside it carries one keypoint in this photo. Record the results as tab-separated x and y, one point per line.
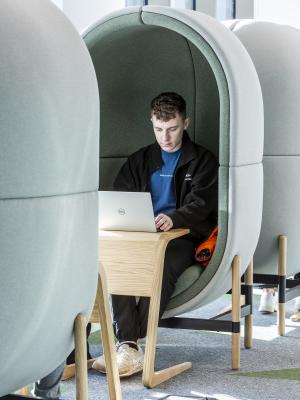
138	53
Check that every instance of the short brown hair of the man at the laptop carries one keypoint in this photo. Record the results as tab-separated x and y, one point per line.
166	105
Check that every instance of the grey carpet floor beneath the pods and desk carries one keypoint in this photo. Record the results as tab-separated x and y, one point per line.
210	353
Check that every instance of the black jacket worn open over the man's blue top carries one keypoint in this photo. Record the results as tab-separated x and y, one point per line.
195	184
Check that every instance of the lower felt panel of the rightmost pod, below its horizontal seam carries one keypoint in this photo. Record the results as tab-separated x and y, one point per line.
281	214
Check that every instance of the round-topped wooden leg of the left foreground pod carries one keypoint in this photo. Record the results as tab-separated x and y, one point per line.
80	358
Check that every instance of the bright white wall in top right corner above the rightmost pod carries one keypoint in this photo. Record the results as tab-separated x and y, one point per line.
281	11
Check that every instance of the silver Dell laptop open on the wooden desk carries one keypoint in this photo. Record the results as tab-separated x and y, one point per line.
126	211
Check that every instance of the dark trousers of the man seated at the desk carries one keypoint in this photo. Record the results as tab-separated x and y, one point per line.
129	317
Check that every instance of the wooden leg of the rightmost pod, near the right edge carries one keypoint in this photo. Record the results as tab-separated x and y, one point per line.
282	255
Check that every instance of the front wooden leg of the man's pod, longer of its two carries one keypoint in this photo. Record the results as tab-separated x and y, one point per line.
236	312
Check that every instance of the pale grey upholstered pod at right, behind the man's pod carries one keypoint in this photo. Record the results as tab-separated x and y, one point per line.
279	77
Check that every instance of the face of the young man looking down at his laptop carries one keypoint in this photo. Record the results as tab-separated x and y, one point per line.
169	134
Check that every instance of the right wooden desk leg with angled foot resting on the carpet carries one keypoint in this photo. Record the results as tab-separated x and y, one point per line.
151	378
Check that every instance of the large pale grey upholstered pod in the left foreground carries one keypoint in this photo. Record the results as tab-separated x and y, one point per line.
49	139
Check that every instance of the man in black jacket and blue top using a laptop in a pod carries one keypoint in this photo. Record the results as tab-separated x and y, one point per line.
182	179
